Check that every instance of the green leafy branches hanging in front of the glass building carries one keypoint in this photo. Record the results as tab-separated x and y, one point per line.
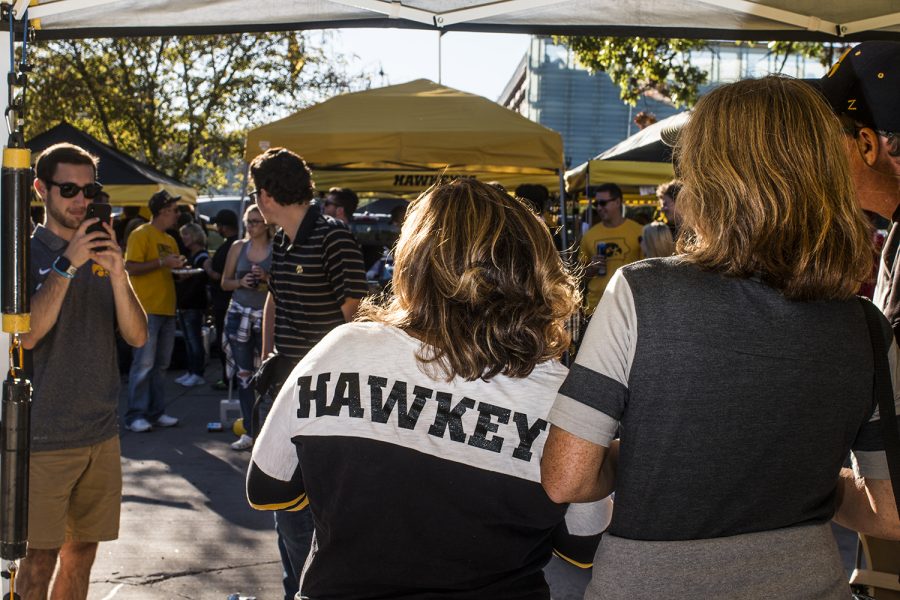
642	65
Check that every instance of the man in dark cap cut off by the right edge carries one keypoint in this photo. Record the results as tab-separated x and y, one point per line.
863	87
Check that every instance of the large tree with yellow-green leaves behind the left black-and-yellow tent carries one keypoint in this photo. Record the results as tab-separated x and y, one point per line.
182	104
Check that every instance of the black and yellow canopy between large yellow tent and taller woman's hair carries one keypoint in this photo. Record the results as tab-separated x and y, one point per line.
639	160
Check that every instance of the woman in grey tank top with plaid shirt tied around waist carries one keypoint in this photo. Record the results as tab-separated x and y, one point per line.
246	275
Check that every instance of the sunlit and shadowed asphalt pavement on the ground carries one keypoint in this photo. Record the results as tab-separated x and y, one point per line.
187	530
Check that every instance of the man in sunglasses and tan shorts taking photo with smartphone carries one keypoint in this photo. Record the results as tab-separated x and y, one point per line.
81	291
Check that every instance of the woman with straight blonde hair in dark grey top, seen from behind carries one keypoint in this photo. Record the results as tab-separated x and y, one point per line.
739	374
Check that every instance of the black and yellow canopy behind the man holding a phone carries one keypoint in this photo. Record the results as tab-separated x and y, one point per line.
128	182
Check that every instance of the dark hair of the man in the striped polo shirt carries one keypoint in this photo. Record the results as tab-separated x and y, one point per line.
284	175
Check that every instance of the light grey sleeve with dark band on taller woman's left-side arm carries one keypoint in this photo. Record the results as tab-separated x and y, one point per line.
592	399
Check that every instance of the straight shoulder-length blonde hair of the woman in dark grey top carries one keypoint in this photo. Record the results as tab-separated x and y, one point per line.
767	190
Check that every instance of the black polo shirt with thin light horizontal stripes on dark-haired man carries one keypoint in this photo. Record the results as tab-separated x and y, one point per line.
310	279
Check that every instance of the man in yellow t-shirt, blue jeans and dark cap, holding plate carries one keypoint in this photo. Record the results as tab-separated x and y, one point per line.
149	259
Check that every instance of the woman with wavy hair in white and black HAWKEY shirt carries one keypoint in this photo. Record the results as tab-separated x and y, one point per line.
415	433
